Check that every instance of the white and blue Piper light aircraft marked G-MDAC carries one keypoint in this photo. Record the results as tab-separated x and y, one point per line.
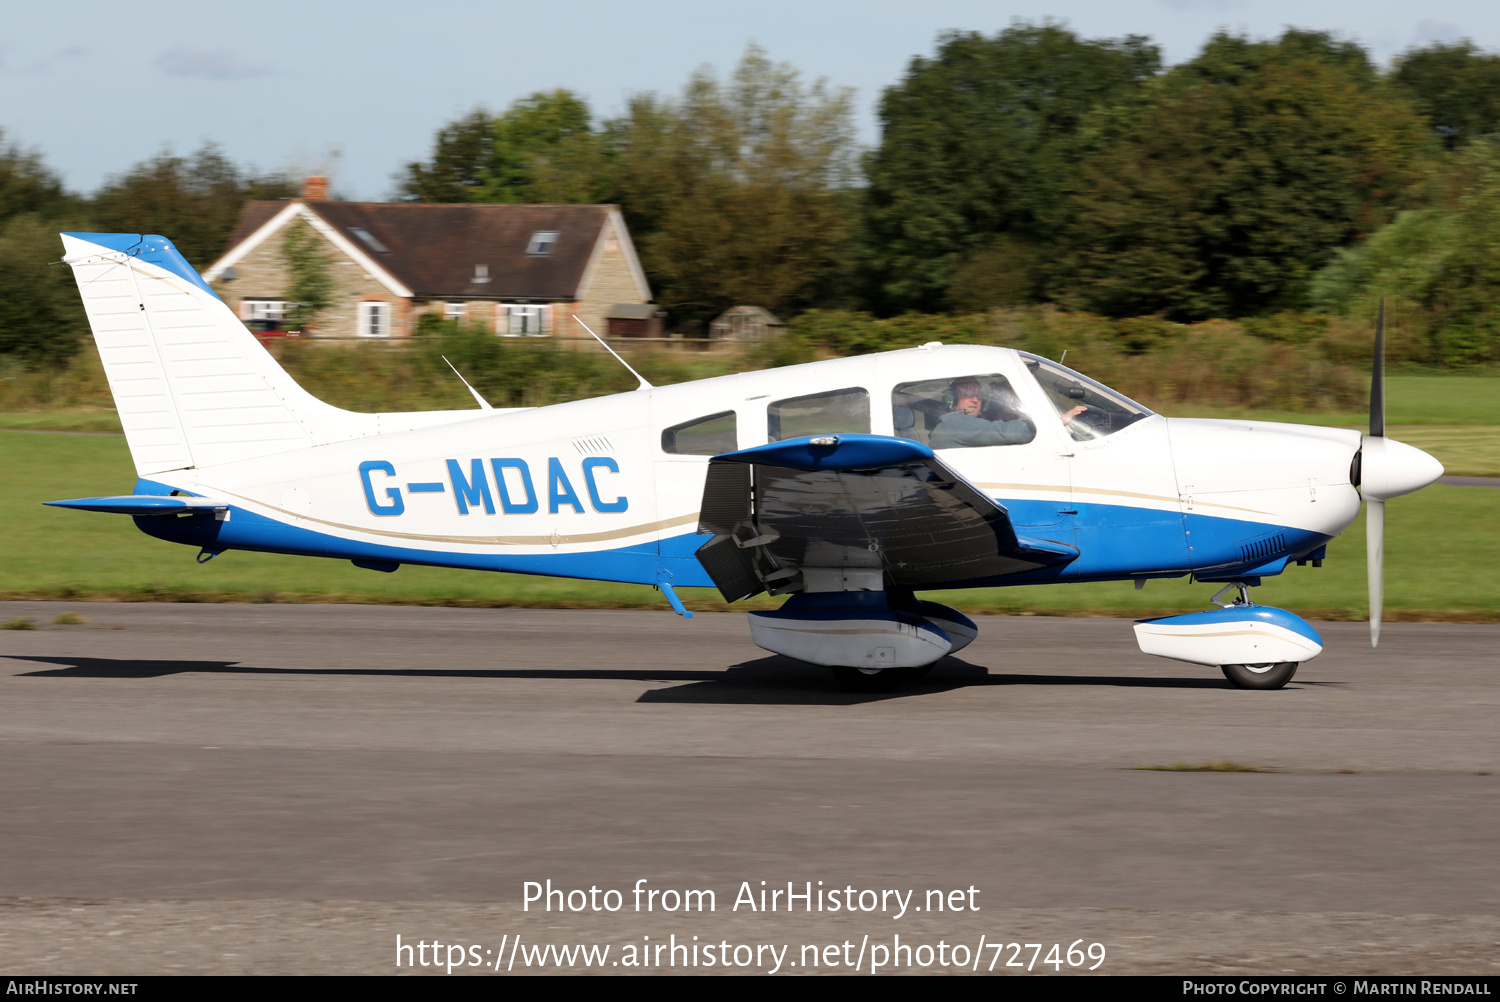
848	485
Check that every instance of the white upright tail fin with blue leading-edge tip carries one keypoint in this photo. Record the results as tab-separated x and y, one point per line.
191	383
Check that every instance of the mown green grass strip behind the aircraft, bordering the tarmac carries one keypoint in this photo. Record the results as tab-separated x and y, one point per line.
1442	548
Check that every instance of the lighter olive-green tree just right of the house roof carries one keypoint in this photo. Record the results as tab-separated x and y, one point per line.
740	191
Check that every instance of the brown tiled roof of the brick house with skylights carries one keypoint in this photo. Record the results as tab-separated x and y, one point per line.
434	250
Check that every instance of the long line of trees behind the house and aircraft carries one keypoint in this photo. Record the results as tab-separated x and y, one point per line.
1261	179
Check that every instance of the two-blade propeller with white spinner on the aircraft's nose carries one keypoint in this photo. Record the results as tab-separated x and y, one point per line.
1387	470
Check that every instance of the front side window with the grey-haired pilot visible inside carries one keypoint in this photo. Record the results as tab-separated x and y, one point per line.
962	413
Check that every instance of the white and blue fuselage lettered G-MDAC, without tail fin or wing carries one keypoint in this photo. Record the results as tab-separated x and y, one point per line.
610	488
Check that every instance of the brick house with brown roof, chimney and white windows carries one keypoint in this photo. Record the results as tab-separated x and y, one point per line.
520	271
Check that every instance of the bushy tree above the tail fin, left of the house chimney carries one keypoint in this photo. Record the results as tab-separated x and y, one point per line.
190	200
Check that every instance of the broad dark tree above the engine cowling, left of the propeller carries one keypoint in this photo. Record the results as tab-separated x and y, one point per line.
1229	182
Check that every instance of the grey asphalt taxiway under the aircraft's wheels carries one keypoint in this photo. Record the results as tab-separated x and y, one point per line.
287	788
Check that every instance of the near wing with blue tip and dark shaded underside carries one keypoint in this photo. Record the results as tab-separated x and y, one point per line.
875	506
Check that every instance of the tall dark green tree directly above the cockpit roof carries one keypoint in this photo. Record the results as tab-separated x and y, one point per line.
976	146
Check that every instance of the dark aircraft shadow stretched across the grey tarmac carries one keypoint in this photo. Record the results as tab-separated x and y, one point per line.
769	680
